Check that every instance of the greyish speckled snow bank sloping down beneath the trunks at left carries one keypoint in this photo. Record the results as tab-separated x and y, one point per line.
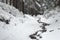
10	9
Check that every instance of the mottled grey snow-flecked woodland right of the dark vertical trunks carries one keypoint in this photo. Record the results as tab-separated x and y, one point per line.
39	5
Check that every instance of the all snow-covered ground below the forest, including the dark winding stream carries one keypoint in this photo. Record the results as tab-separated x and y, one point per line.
16	26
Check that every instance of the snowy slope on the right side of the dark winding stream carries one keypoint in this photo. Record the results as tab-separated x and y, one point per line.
53	30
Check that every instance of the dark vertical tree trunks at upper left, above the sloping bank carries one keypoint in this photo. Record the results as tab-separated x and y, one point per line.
19	4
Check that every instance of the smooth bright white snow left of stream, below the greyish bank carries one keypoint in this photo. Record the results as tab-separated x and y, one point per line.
17	30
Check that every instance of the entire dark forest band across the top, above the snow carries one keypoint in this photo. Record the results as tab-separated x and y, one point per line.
33	7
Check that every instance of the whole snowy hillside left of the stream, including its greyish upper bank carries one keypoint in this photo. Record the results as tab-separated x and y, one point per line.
14	26
